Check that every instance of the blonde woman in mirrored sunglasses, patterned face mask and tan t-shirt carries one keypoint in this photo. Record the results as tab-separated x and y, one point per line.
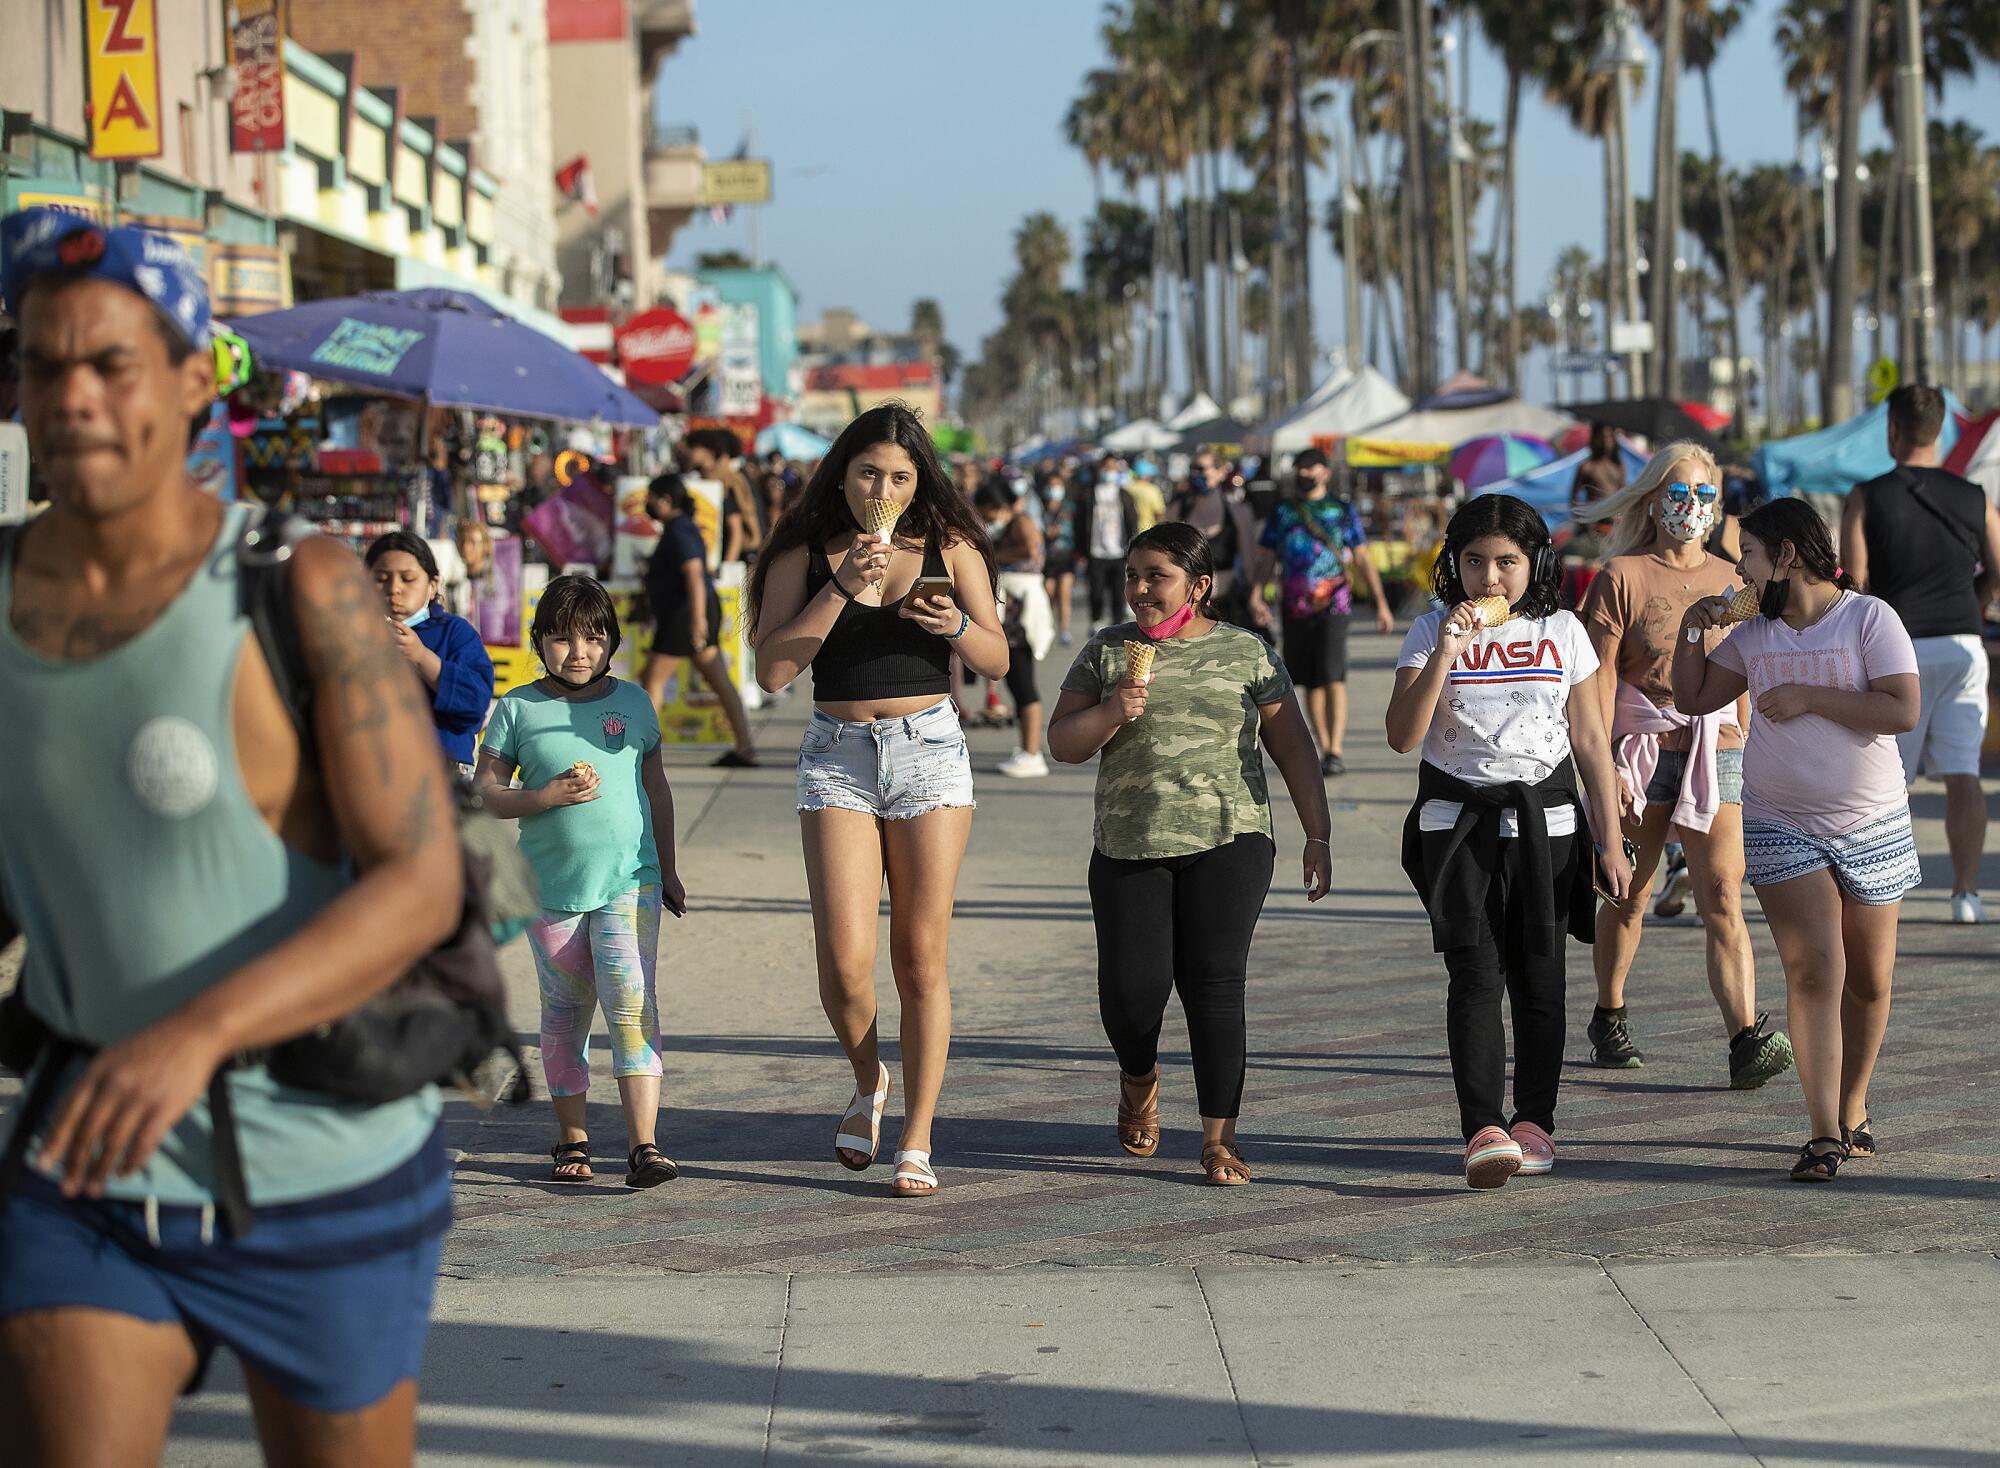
1679	777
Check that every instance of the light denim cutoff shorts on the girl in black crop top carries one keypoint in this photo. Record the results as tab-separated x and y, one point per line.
895	769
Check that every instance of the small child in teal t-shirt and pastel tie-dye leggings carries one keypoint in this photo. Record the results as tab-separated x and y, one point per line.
597	825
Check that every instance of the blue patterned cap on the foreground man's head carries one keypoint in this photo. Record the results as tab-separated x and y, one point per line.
43	241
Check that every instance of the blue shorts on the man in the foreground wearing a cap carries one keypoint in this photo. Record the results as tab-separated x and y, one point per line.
327	1299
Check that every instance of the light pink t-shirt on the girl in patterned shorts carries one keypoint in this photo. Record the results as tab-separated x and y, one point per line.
1813	773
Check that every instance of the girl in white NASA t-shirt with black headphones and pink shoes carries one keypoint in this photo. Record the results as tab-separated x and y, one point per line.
1497	689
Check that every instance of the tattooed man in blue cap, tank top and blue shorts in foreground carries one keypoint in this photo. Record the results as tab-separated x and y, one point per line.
195	887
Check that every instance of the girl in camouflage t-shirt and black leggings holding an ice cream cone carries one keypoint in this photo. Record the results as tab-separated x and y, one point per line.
1183	837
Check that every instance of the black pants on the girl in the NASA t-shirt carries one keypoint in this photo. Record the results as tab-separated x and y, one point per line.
1479	973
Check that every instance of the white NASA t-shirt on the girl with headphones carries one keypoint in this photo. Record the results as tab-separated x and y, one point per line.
1505	711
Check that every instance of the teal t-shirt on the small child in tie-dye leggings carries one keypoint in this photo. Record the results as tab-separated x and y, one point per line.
583	855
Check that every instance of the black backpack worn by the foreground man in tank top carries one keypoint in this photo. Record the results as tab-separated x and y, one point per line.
437	1025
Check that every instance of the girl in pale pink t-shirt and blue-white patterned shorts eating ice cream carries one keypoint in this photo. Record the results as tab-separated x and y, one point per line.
1827	823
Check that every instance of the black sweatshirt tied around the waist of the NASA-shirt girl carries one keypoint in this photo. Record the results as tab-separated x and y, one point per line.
1455	889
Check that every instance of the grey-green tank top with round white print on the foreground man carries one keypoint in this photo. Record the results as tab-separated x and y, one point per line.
141	873
